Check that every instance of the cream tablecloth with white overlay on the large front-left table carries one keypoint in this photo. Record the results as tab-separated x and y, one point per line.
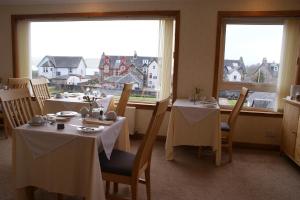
65	161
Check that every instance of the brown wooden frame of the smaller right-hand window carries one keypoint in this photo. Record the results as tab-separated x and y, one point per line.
246	17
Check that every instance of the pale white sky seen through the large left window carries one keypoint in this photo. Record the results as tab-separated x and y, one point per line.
91	38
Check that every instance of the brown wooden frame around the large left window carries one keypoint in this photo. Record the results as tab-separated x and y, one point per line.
175	14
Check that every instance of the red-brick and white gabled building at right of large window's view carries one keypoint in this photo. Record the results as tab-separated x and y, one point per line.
142	71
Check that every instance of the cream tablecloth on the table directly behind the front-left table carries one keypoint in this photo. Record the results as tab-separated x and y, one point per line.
54	105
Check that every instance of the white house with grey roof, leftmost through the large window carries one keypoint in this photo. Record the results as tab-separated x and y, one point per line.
55	66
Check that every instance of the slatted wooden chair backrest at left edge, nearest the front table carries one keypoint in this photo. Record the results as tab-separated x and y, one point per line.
17	106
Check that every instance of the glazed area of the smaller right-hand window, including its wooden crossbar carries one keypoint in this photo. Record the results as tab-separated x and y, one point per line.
251	58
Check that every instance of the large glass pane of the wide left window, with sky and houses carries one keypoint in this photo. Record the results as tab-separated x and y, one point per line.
96	57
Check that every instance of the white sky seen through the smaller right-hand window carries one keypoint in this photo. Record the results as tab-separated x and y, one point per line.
253	43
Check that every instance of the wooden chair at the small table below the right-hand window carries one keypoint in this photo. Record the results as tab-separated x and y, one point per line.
227	128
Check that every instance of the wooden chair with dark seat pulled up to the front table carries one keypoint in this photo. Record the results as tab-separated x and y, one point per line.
125	167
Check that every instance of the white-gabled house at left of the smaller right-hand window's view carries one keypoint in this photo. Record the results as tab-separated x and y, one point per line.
234	70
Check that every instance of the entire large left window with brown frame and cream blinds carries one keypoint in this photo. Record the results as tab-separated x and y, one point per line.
82	39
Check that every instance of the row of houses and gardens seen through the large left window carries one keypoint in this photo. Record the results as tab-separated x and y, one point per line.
73	73
